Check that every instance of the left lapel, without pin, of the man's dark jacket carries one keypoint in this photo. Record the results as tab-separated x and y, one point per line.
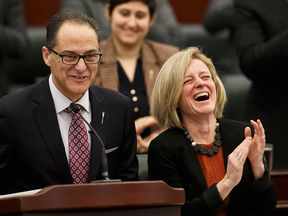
46	119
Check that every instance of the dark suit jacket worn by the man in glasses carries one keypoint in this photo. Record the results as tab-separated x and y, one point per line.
32	153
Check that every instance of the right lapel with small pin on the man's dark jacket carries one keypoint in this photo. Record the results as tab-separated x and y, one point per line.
100	122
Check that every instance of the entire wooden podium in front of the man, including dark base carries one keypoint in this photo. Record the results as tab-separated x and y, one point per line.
120	198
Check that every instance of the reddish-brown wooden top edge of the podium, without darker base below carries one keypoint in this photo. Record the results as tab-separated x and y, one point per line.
95	196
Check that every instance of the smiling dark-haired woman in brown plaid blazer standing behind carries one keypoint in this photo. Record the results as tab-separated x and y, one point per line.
130	63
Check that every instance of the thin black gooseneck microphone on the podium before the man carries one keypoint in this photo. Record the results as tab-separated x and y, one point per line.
105	174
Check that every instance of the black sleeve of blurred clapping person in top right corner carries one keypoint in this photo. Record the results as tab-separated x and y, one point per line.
259	54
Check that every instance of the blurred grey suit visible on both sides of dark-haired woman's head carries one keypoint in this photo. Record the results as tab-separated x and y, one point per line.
165	29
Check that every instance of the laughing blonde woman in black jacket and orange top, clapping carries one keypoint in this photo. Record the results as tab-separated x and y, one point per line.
217	161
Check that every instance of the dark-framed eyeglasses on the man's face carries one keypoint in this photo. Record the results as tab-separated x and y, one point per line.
73	59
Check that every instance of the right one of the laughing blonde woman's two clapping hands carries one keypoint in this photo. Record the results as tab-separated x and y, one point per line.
256	151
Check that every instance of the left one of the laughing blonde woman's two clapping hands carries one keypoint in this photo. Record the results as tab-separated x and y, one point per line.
234	170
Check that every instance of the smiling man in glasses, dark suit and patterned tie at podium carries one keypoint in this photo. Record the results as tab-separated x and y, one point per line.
34	123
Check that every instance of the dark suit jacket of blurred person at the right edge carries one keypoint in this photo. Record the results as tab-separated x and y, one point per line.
261	38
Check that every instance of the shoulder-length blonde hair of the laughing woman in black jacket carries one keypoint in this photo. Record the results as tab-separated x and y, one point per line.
169	84
